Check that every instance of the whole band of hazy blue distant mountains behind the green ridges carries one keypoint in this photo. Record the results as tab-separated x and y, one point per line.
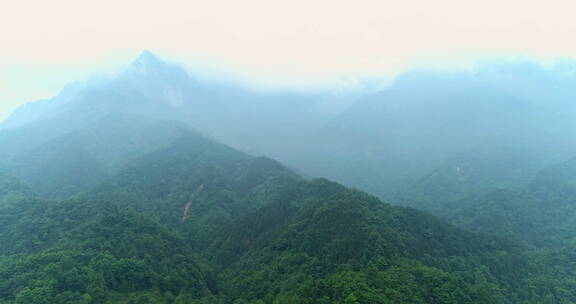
423	122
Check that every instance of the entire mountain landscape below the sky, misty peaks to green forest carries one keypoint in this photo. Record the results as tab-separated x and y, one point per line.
158	187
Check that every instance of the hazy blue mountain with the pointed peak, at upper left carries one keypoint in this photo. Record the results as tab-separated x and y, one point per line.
259	122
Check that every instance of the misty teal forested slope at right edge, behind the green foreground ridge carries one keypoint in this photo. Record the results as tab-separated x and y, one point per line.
539	214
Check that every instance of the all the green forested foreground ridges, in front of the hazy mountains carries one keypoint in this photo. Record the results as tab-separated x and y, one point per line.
255	232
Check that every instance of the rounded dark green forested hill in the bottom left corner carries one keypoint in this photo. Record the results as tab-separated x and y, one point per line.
76	252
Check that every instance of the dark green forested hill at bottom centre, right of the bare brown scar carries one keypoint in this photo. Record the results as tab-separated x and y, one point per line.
347	246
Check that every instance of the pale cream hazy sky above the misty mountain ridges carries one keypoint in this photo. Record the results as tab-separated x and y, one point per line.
45	44
